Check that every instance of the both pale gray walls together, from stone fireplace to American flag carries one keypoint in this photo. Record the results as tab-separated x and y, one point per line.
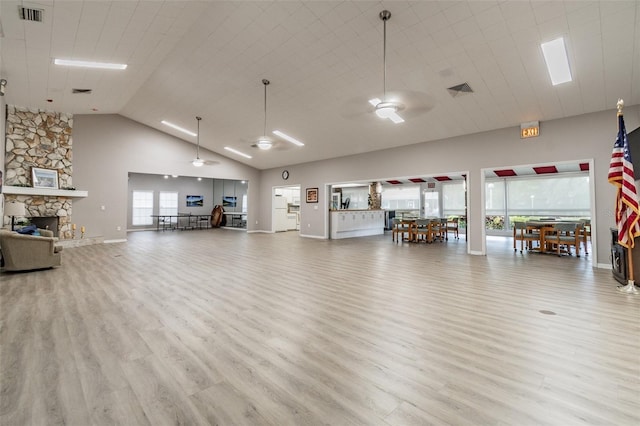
108	147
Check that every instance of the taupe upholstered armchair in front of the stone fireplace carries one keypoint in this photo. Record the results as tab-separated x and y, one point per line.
26	252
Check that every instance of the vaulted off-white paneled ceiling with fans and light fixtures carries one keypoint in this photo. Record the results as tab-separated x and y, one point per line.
324	61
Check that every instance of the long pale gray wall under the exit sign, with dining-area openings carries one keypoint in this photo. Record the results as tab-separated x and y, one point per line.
586	137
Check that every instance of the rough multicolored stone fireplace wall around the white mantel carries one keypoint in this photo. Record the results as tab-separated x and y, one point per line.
36	138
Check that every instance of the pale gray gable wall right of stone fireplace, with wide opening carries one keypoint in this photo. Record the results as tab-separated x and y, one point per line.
106	148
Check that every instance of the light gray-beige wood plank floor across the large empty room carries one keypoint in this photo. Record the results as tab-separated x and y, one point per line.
227	328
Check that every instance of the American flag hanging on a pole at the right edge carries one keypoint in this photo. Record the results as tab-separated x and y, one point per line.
621	175
